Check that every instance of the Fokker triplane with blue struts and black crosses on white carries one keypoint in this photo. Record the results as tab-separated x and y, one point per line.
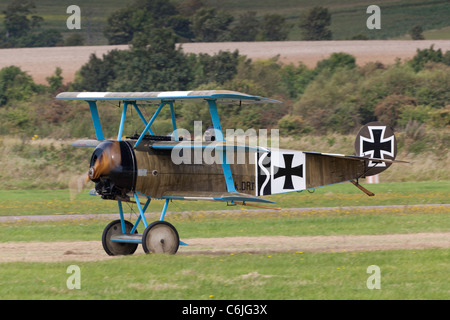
147	166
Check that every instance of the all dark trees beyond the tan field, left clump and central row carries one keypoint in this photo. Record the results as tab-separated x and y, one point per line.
190	20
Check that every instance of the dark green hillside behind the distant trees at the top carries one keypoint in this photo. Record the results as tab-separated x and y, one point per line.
348	16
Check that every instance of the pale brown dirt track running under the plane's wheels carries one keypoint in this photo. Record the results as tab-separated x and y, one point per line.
93	250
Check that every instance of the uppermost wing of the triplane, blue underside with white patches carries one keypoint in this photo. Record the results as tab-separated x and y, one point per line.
218	95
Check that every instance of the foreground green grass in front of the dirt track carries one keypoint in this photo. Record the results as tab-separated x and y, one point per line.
405	274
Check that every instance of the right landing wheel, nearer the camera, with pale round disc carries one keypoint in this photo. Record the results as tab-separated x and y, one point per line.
160	237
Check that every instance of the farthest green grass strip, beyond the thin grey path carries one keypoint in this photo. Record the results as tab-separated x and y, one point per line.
35	202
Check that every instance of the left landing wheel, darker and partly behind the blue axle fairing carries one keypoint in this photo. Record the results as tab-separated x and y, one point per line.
117	248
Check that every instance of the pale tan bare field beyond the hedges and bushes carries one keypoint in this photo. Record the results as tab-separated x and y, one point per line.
41	62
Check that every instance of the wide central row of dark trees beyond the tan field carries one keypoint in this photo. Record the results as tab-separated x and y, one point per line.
191	20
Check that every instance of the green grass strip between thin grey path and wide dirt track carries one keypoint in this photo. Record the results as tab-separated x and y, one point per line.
248	223
